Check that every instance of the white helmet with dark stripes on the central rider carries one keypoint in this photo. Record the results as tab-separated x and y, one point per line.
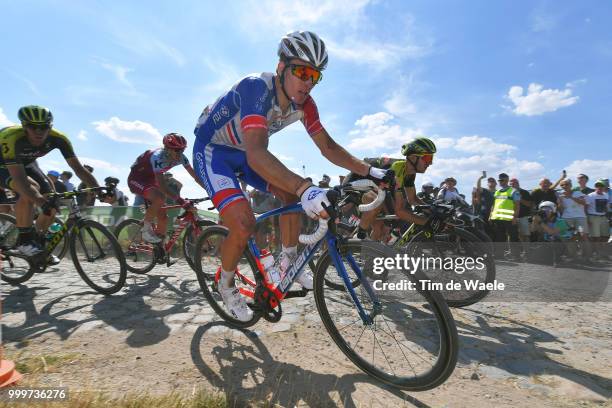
304	45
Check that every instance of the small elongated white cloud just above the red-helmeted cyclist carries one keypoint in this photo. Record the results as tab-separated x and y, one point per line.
129	132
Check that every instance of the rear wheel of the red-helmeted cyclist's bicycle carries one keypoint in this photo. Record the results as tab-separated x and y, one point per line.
139	254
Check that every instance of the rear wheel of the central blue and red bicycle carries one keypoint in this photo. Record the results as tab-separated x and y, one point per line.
207	266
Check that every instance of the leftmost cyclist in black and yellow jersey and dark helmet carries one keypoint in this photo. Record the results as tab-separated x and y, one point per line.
20	146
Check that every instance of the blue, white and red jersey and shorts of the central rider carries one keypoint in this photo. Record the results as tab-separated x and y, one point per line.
218	153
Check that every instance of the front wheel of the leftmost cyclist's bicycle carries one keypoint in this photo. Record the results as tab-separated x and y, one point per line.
97	257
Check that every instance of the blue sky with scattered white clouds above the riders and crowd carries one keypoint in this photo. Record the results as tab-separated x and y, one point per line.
519	87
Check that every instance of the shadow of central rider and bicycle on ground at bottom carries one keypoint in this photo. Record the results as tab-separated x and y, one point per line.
244	369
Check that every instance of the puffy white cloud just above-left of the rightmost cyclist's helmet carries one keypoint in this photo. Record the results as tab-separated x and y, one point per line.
373	132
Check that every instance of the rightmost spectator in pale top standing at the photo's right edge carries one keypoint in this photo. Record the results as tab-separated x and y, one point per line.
597	206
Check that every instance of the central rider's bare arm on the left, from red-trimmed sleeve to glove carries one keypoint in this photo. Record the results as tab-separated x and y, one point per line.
268	166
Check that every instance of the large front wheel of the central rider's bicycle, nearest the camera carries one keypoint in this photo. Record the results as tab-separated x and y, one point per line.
411	341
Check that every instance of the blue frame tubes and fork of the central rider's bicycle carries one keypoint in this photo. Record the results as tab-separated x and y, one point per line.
306	255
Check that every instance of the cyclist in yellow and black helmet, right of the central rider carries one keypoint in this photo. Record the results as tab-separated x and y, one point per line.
419	154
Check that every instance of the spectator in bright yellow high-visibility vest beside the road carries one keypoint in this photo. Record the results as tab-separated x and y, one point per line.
504	217
